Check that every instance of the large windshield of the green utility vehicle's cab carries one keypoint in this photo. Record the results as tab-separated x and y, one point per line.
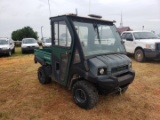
99	39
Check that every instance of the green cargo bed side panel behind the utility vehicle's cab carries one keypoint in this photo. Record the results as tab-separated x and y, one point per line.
44	54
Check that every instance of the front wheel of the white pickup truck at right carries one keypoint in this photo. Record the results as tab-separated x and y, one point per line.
139	55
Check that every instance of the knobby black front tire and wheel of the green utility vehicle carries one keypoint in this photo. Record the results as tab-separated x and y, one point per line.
85	94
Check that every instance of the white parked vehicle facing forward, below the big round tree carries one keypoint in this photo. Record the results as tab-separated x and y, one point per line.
29	44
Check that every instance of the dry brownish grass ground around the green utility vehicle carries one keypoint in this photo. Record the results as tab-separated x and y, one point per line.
23	97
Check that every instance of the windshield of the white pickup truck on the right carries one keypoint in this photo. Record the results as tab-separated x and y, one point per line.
144	35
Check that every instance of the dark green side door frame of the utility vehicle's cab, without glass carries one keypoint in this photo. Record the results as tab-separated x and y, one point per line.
69	50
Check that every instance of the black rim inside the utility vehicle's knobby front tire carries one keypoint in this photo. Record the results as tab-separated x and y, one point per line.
80	96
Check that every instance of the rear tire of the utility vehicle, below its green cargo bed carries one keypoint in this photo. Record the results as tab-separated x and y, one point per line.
42	76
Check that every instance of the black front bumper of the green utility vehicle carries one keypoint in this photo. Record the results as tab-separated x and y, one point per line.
112	84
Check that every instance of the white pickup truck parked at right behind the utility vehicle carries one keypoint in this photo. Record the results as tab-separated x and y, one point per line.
142	44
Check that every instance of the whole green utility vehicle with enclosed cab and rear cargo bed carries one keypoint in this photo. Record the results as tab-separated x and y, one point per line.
87	56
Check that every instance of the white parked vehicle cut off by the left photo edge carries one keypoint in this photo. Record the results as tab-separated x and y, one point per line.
7	46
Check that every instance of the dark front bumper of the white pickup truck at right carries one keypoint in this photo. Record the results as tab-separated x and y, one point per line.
154	54
